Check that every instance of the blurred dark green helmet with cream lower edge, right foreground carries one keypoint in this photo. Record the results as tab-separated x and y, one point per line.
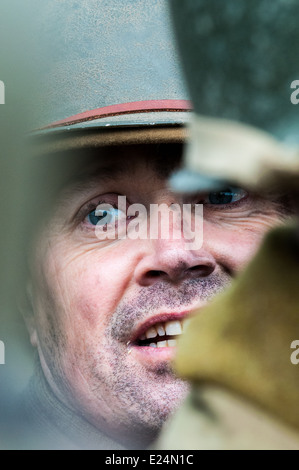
241	64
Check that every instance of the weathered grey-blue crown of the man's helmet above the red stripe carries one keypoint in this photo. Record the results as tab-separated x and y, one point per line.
101	53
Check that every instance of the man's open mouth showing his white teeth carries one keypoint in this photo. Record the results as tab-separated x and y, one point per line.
162	334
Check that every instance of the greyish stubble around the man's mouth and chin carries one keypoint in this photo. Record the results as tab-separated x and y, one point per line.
147	397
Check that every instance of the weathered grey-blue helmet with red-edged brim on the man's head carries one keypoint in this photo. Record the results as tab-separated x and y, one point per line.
109	74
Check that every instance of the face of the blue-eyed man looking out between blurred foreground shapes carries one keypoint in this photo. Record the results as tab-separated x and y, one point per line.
107	311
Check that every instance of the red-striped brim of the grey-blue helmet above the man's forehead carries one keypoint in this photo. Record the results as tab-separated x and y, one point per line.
163	121
